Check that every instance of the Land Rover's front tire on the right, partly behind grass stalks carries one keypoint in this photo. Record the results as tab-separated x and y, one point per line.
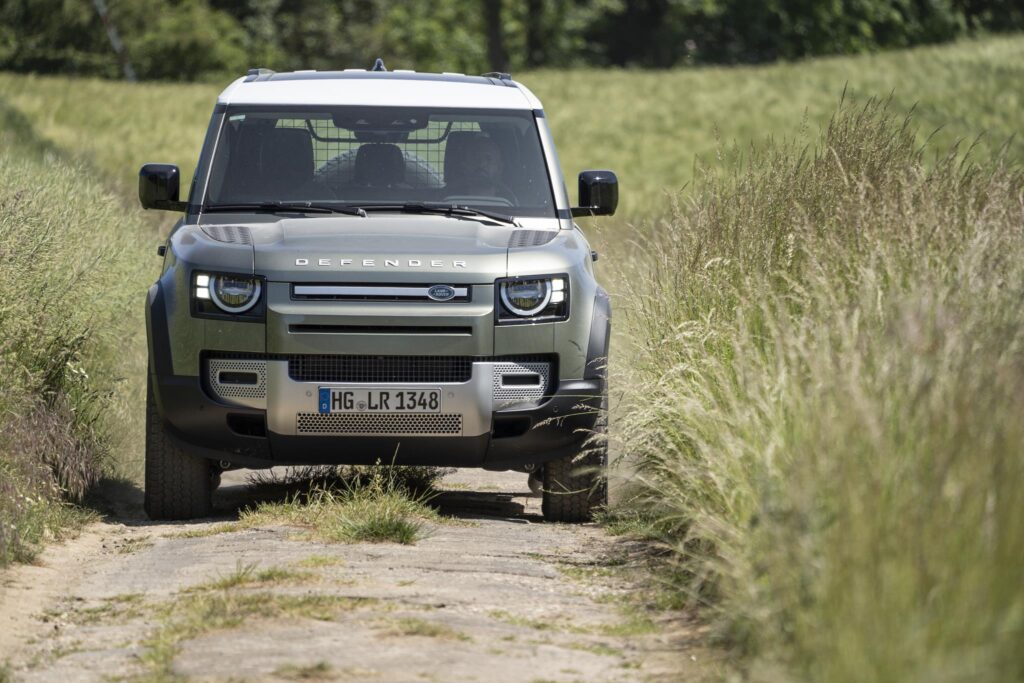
576	487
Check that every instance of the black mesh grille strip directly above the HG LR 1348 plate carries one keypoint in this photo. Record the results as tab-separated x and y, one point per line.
374	369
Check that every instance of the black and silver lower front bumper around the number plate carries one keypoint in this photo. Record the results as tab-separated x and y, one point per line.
491	434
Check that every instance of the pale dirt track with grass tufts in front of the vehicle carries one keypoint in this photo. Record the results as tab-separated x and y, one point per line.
497	596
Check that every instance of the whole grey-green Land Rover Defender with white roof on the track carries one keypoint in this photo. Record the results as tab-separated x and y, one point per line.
377	267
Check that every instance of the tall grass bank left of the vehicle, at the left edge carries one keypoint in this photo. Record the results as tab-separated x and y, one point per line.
72	351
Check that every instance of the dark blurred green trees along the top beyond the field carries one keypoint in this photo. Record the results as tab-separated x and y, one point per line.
210	39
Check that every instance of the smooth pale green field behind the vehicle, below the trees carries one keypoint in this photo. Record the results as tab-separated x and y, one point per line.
649	126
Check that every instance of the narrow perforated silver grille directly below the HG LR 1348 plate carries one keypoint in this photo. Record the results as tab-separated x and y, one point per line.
372	424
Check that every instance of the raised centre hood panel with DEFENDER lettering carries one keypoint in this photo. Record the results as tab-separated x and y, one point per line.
381	248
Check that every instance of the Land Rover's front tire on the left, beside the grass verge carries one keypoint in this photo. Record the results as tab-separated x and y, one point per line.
179	485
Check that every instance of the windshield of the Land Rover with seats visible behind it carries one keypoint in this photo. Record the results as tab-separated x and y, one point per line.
366	156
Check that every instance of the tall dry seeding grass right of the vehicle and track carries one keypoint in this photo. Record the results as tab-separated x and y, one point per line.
827	407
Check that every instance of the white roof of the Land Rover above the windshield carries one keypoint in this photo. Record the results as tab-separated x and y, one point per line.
381	90
